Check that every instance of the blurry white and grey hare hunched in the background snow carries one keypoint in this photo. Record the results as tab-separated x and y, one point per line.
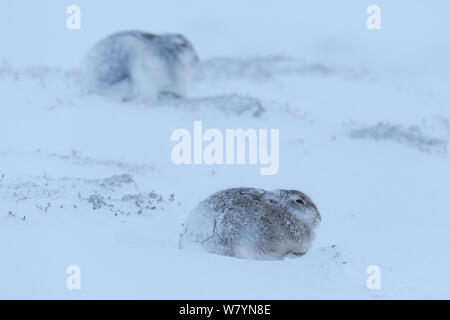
133	65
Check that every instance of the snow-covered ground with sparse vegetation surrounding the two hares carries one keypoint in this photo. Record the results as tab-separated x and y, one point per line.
364	120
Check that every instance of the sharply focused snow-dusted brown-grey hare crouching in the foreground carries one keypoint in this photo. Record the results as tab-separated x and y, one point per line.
253	223
